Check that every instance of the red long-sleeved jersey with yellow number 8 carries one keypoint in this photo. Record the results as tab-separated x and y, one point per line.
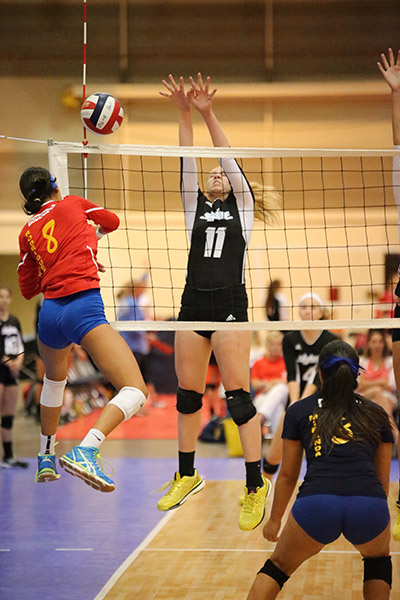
58	248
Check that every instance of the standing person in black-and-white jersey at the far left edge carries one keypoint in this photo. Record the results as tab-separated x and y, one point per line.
12	358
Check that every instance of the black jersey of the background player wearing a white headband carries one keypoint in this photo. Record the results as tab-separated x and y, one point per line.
301	359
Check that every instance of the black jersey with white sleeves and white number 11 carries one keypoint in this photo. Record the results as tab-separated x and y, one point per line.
219	231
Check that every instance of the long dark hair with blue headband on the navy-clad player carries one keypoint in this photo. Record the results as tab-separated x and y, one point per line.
339	366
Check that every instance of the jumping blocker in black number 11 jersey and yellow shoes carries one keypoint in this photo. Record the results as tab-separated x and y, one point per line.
219	223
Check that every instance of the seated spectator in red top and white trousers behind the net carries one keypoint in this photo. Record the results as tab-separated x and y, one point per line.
268	382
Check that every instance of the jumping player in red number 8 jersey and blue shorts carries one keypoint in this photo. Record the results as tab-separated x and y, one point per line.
58	249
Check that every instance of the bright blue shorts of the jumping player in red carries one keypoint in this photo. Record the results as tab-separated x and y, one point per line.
68	319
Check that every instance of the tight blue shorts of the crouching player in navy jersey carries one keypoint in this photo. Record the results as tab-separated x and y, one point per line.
325	516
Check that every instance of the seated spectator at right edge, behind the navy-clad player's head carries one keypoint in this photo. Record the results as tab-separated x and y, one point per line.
377	381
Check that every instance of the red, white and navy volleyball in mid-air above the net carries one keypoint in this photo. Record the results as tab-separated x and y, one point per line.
102	113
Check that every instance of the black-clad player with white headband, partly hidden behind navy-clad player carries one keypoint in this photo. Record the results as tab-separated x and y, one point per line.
300	351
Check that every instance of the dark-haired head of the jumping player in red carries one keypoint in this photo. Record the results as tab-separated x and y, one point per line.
36	185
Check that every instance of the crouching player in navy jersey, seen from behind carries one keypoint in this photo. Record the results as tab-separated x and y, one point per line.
348	441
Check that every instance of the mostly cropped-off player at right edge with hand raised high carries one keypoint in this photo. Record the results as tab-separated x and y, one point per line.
391	72
